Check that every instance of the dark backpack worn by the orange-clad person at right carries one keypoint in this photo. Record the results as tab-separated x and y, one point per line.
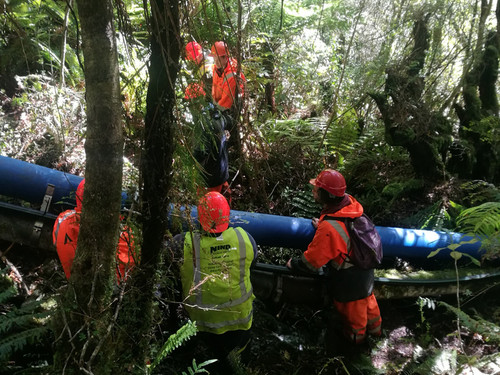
366	245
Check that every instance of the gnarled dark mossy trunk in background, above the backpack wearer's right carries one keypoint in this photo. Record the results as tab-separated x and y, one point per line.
409	121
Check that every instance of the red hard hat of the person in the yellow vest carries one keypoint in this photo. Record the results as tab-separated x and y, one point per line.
213	212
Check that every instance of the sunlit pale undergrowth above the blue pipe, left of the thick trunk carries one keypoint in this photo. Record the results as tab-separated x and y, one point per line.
45	125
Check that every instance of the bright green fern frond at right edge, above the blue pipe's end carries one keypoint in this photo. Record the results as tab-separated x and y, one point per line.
483	220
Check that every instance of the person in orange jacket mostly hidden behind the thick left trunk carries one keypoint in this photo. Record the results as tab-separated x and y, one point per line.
65	237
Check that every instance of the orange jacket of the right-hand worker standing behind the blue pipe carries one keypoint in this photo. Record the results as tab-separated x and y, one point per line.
224	85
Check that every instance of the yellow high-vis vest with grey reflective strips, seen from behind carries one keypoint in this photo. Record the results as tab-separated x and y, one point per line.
215	277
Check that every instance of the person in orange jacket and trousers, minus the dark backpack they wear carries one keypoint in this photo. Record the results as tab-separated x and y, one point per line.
351	286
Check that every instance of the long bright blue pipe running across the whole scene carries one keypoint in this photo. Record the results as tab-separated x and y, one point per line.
31	183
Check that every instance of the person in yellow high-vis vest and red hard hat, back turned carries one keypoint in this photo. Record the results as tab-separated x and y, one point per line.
215	275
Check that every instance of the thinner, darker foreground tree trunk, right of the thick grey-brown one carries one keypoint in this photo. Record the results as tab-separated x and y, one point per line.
156	166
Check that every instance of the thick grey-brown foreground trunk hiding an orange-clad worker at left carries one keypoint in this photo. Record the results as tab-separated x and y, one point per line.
85	317
